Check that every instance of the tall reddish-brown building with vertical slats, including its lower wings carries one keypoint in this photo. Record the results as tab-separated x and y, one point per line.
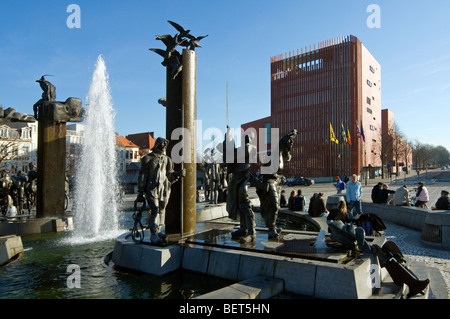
331	93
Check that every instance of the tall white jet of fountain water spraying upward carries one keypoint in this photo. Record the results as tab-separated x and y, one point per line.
96	187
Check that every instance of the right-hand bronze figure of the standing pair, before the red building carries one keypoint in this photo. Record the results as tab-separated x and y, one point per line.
269	187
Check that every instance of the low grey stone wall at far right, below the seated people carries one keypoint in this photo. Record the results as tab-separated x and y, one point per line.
434	224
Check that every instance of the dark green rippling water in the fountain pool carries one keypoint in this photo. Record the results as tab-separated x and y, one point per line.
41	272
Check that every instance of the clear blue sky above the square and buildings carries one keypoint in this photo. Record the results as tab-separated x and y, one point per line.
412	46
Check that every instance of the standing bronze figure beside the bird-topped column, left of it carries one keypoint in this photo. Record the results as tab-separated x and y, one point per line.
154	183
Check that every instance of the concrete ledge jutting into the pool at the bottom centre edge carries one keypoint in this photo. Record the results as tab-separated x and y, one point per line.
258	287
